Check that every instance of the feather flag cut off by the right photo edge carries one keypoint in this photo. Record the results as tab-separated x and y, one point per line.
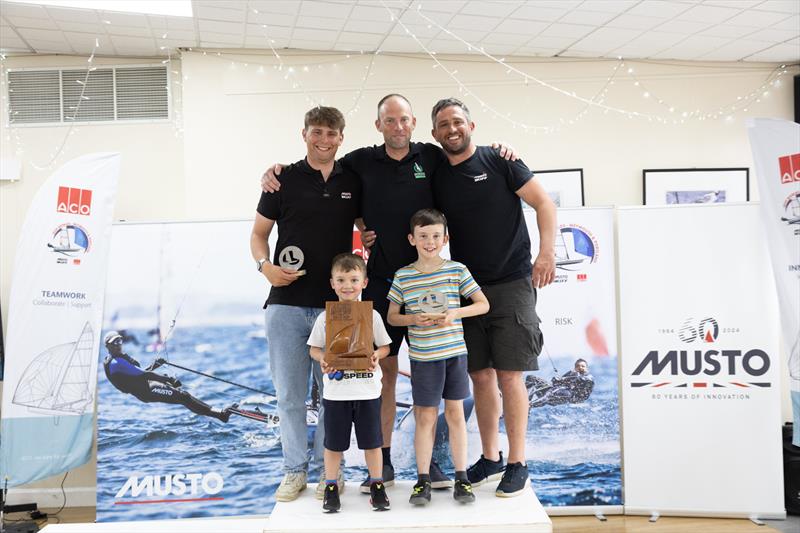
776	152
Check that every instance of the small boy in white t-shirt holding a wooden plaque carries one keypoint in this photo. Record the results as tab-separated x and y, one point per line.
352	396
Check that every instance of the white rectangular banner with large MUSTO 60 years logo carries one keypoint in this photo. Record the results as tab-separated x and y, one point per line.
700	377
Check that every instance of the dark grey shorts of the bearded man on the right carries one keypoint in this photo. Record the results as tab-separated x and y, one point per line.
508	336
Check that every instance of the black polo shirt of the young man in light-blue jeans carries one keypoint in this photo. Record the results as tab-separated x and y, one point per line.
316	216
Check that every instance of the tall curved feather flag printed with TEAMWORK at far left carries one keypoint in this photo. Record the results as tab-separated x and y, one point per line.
54	321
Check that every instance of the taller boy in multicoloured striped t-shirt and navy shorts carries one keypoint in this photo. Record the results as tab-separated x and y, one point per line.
430	289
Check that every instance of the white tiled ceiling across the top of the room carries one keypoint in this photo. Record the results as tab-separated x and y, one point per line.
706	30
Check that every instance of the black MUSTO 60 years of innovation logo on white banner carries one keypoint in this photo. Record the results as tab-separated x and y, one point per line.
701	363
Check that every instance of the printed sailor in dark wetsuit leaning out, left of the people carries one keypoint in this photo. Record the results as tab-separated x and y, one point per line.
126	374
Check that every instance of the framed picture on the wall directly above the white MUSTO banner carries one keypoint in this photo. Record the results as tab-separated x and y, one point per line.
666	186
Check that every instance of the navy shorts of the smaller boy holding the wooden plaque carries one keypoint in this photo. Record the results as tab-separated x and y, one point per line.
339	417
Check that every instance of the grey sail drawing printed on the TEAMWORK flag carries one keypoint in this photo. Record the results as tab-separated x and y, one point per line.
58	379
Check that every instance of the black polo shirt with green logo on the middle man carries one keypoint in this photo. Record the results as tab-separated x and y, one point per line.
392	192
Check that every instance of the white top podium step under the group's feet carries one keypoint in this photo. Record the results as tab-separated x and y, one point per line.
443	514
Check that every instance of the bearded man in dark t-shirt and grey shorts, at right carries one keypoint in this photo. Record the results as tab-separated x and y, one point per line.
480	193
